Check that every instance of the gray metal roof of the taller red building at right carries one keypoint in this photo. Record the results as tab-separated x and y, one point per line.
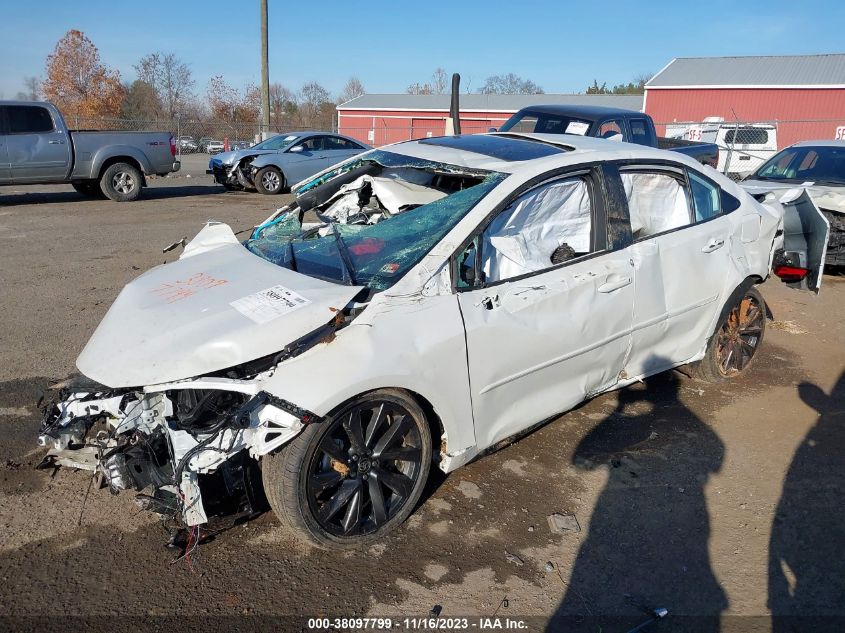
782	71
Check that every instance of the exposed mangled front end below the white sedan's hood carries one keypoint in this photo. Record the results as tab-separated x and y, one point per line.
185	448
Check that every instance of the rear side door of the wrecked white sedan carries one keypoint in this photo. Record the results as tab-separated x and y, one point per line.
682	266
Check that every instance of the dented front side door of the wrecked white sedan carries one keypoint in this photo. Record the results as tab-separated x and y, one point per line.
541	336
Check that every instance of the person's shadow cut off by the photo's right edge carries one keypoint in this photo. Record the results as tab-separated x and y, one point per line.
806	557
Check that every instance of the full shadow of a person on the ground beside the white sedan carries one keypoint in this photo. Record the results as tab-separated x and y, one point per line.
646	547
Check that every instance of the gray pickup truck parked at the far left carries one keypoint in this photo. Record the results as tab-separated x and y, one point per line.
36	147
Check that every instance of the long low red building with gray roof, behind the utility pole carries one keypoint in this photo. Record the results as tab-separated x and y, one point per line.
378	119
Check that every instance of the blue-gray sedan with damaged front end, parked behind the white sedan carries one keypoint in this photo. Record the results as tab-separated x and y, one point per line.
272	166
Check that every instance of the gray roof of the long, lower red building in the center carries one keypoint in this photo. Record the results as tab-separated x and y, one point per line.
486	103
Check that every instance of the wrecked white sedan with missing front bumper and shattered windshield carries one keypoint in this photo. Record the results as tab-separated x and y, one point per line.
418	304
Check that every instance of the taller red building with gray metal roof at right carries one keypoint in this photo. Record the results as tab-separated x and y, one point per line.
804	95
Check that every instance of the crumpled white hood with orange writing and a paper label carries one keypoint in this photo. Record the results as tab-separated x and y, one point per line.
217	306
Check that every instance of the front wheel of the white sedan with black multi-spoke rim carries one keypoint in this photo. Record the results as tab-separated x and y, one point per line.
352	478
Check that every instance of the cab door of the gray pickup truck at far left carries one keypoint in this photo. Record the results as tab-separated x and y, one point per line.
38	150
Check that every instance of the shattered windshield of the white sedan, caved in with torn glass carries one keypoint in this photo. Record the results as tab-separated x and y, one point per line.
374	218
